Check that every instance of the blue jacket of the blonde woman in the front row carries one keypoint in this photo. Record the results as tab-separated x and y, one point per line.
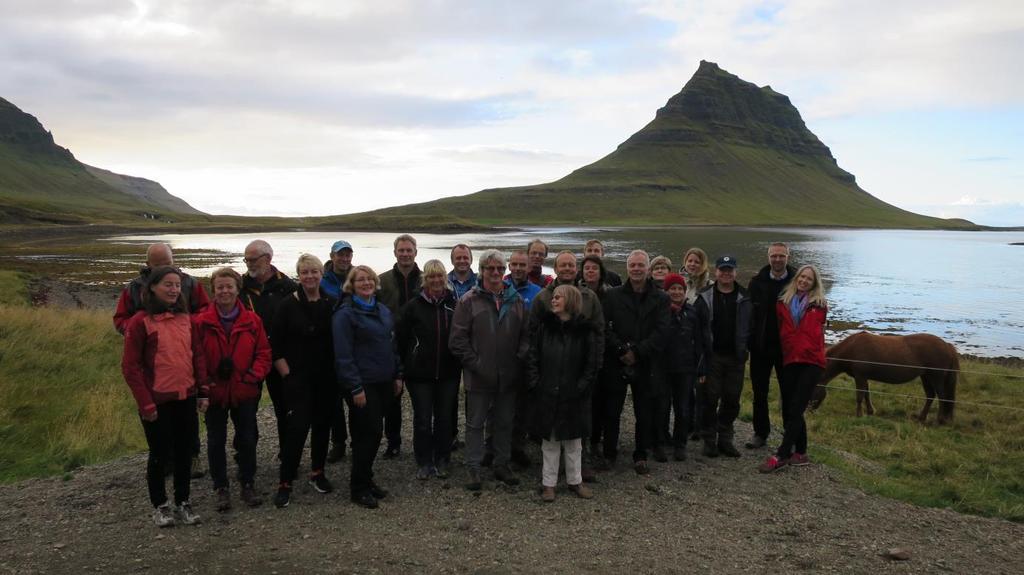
364	347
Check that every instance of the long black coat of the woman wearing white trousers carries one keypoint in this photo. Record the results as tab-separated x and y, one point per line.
564	361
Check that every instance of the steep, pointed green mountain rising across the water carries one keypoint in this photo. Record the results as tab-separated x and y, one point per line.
721	152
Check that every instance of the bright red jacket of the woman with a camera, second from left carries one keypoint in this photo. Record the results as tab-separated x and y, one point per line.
248	348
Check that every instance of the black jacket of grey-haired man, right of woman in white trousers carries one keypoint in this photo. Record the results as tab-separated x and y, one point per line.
641	323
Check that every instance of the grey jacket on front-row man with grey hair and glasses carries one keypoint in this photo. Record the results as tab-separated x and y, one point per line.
492	344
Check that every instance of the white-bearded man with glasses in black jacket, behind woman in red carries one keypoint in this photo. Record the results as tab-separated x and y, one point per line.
263	289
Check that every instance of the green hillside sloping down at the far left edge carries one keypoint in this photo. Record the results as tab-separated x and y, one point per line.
44	183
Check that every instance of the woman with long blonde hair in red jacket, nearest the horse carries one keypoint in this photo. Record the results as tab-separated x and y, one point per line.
802	315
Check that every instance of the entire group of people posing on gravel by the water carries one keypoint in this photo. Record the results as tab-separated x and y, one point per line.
542	359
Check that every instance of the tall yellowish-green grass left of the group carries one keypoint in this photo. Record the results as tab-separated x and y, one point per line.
64	403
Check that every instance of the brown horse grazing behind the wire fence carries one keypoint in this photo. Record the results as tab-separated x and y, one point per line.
895	360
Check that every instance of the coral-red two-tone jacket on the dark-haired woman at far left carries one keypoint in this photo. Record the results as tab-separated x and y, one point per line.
163	360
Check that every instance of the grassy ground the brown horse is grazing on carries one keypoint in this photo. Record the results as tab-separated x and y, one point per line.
974	466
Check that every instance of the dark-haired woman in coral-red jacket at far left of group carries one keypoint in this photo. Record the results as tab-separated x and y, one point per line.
163	364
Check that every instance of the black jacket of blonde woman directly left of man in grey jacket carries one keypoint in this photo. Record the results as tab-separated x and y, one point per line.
422	334
